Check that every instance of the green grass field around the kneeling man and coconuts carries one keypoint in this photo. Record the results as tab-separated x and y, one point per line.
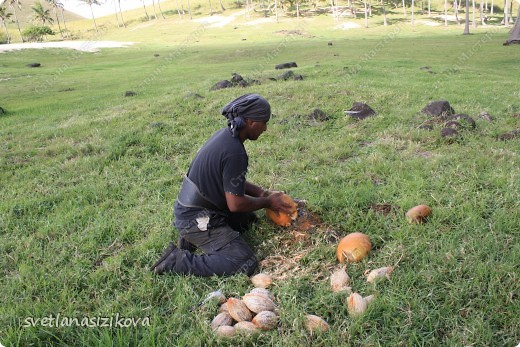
88	178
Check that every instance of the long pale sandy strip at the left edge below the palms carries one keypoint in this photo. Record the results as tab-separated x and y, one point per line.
84	46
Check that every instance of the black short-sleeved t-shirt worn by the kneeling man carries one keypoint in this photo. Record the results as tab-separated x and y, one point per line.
220	166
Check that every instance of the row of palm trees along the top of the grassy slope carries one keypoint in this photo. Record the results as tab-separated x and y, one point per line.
43	17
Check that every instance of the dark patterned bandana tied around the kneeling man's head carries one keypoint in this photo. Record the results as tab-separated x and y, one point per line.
251	106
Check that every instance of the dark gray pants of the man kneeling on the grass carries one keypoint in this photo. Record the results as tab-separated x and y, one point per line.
225	251
